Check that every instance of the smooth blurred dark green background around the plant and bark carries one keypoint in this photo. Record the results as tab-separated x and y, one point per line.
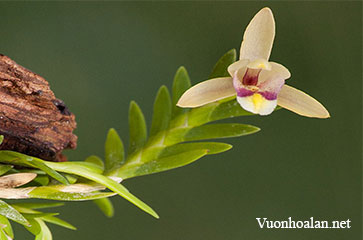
98	56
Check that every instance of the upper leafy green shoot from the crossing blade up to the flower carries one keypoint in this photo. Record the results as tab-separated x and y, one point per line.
174	130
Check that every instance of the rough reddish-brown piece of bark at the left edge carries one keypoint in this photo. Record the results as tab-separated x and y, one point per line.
32	120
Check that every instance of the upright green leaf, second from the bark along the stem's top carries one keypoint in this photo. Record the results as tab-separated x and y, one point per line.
137	128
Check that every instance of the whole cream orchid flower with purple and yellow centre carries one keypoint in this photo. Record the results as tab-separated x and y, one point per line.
258	83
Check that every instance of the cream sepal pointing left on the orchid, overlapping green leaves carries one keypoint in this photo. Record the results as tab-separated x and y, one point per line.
207	92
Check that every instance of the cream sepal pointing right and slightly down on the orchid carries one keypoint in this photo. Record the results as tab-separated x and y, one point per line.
301	103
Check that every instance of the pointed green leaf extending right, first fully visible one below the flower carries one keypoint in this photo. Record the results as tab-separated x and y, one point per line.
224	130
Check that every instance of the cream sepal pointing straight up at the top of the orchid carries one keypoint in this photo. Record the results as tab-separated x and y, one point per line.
259	36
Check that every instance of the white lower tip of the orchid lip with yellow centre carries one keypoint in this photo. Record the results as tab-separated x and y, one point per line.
257	104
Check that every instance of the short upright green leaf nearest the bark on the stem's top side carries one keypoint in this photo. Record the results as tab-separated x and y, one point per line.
114	151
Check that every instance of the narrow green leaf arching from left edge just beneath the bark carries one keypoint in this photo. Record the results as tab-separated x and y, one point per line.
24	160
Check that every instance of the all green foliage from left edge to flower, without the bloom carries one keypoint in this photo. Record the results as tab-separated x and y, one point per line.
176	138
